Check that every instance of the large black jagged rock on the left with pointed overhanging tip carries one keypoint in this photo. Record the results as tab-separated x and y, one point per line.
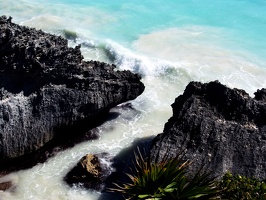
46	87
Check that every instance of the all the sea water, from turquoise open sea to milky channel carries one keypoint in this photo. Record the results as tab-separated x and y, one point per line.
170	43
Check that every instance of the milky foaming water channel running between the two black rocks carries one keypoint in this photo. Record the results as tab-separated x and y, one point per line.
145	117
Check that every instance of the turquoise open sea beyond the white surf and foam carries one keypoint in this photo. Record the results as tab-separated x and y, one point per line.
242	22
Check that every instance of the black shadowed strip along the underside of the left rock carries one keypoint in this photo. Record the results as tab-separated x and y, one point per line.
68	137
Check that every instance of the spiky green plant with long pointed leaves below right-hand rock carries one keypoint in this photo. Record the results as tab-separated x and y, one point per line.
165	180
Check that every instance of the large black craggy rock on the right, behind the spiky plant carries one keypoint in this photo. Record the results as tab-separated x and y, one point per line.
222	128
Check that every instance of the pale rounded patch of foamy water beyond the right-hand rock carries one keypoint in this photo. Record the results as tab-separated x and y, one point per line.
206	56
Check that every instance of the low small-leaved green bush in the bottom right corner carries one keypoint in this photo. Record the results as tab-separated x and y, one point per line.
242	188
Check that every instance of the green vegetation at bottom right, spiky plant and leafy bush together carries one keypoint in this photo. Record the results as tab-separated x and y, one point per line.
169	180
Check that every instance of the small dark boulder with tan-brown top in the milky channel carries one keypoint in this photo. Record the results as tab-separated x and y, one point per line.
90	172
